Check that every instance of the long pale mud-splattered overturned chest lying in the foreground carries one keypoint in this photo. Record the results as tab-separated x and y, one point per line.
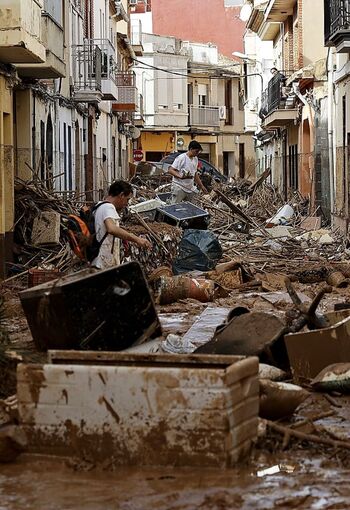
141	408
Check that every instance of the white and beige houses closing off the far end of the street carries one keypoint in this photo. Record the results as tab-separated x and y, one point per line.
191	94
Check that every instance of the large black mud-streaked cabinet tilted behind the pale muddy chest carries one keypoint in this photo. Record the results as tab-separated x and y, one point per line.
90	309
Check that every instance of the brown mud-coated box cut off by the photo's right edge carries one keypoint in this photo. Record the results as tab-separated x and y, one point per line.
311	351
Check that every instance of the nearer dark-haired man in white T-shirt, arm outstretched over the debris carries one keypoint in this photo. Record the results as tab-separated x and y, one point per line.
107	222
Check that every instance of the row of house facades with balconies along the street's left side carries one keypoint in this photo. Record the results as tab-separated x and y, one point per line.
65	119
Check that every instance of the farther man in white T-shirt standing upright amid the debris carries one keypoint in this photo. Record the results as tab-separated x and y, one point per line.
185	175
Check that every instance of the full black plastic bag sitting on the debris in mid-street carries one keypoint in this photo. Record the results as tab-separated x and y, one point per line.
198	250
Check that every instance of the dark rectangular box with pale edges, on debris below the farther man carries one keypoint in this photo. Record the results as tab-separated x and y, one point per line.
184	215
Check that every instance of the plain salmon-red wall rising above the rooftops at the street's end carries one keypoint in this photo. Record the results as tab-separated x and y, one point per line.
200	21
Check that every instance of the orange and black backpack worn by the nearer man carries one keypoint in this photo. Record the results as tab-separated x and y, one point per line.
82	235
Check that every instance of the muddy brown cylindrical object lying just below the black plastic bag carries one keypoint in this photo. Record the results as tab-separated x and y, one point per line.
173	288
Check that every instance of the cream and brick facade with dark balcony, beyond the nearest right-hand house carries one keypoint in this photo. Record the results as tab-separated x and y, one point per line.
292	134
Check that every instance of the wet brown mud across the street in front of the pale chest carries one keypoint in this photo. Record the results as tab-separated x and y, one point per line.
284	480
